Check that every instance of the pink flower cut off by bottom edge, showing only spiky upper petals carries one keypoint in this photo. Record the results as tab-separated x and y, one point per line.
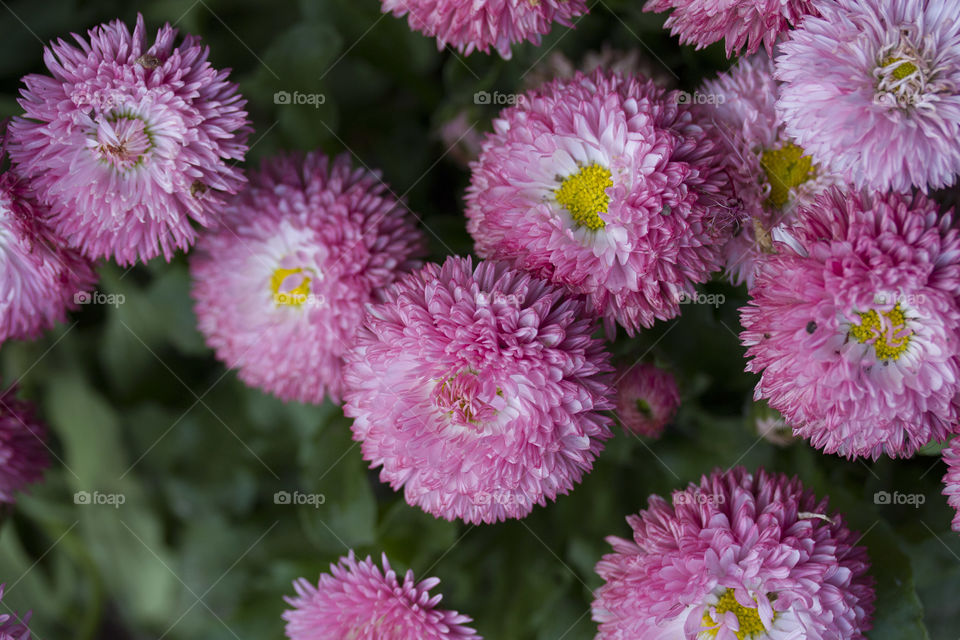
358	601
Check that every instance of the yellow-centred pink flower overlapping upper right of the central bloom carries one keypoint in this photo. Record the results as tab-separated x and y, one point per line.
606	185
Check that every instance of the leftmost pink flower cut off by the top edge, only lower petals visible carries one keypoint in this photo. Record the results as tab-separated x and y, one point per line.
470	25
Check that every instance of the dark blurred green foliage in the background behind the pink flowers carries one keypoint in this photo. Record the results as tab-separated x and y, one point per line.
138	406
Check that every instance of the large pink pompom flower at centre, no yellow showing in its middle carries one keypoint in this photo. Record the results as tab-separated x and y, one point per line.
480	391
